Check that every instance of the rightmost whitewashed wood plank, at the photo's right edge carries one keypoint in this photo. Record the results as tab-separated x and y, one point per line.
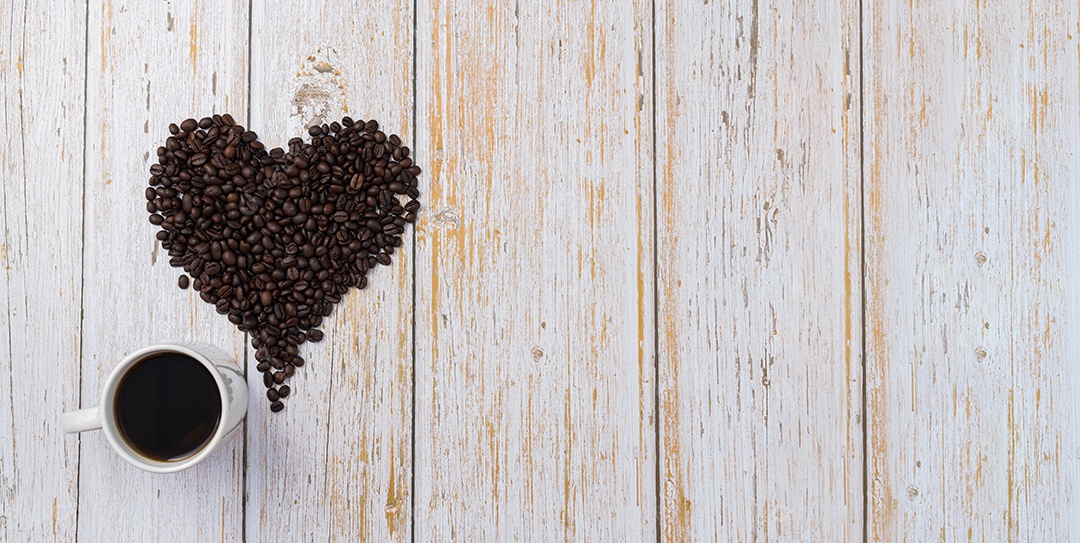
974	314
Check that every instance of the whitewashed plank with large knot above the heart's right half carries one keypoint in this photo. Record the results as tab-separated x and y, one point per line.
336	465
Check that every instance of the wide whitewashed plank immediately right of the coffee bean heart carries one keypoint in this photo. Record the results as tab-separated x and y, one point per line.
535	352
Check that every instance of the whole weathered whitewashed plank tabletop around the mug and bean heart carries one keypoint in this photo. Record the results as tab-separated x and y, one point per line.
746	270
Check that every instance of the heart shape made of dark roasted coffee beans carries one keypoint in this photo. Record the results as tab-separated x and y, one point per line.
274	240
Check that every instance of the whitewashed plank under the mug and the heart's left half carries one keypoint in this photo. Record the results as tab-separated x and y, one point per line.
151	64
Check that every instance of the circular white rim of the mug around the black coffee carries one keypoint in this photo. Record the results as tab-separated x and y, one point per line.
112	430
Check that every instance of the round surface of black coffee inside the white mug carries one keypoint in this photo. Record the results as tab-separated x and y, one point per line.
168	406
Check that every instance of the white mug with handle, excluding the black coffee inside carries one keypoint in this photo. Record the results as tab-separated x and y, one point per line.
231	384
